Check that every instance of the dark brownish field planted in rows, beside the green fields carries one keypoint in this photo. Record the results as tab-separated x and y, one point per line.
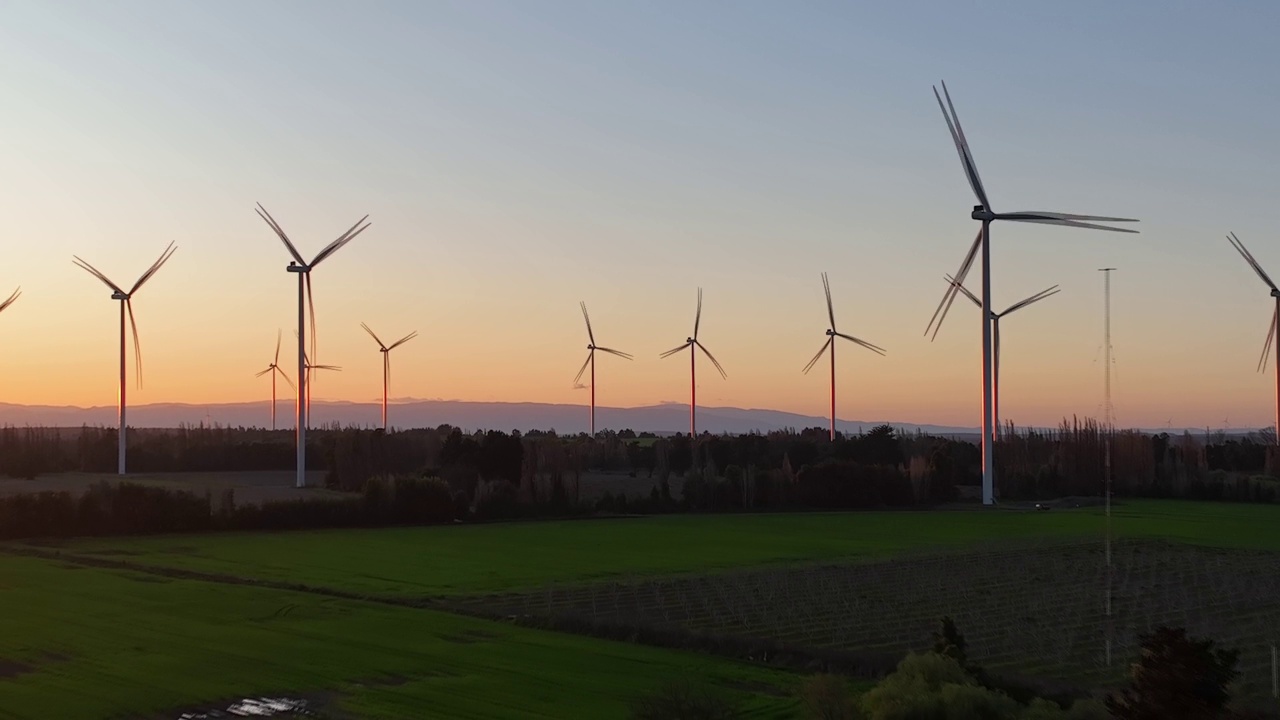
1025	608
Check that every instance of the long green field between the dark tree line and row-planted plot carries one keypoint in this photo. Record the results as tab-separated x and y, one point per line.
495	558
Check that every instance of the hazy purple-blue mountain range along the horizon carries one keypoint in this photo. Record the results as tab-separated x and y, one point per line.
662	420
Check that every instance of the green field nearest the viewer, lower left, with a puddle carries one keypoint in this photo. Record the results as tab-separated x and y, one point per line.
90	644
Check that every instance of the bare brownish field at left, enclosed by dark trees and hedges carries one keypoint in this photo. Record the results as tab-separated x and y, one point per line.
250	487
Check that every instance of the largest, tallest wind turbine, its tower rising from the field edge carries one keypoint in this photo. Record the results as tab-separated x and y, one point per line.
986	216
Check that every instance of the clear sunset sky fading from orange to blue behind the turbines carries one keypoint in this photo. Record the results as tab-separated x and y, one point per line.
516	158
